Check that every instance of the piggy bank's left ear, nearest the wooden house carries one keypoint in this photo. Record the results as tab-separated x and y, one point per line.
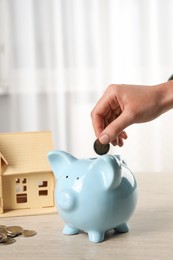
59	160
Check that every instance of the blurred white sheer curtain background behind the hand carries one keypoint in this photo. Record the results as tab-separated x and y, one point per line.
58	56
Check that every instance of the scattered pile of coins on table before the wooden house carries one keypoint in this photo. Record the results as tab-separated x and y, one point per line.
7	234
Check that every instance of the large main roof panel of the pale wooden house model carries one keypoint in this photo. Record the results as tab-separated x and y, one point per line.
25	152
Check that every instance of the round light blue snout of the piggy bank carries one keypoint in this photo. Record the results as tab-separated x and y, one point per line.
66	200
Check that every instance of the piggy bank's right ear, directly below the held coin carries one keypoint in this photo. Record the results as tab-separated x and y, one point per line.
109	170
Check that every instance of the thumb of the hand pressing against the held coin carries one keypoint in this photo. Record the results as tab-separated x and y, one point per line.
113	130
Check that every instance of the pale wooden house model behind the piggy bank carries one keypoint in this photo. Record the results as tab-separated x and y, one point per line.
26	179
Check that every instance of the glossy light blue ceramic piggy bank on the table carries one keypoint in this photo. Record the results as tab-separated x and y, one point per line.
93	195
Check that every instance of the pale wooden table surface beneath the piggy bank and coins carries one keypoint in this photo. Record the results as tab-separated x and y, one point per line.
150	236
